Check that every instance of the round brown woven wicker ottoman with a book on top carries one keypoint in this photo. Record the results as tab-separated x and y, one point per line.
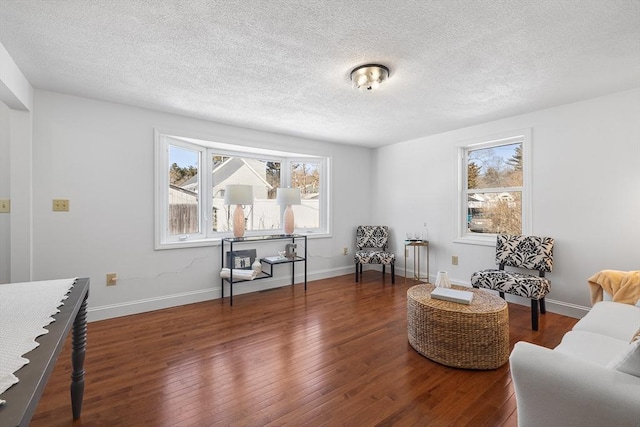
473	336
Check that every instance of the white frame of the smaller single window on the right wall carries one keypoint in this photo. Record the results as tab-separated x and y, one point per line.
511	137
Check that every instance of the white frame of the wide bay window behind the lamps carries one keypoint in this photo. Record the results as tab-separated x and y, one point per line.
206	146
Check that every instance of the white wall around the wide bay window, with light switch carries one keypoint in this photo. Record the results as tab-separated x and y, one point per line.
99	155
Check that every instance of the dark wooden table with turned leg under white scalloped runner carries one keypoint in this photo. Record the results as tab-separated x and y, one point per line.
22	398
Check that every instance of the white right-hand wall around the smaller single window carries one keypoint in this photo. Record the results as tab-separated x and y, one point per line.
586	192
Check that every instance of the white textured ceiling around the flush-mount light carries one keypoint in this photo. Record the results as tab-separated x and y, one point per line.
283	65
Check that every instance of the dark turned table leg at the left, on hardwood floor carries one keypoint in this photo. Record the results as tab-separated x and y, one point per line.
78	350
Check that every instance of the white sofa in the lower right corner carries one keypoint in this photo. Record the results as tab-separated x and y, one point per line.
591	379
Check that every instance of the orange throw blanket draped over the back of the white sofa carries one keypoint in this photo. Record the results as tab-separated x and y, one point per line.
623	286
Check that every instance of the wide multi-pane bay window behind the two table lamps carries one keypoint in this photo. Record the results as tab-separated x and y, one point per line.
190	207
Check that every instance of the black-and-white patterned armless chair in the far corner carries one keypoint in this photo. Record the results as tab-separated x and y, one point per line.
371	244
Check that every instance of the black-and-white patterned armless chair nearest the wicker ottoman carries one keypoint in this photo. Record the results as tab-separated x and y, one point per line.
524	252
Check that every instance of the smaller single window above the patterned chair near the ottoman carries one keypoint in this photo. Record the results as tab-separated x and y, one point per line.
494	187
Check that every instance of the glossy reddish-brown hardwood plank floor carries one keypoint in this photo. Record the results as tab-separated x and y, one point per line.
336	355
